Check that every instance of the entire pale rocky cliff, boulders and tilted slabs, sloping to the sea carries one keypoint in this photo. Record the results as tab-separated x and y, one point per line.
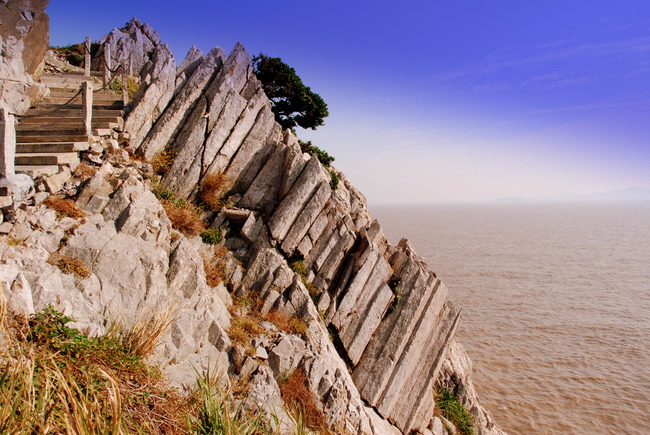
379	331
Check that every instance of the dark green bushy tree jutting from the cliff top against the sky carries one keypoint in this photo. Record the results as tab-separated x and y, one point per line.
294	104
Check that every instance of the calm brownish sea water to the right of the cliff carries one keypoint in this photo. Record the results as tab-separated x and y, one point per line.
556	302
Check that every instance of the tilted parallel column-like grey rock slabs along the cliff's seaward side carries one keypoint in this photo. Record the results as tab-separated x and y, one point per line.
381	303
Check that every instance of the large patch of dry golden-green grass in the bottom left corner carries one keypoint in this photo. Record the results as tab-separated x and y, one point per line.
54	379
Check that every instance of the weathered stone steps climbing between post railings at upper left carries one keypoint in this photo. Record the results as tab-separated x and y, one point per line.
45	142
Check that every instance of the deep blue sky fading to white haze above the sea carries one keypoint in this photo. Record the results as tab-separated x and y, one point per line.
440	100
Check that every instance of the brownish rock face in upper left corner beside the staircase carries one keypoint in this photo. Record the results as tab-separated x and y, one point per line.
24	40
